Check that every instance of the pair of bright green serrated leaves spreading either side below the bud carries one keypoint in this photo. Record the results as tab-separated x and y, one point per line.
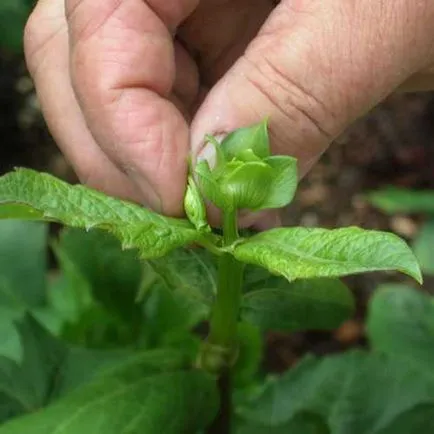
291	252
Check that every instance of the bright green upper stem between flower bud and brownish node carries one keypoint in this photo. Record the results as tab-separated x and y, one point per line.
224	318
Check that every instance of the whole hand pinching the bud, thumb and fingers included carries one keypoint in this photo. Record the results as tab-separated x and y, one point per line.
130	87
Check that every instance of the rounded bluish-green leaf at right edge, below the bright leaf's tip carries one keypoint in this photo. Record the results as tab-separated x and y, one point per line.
401	324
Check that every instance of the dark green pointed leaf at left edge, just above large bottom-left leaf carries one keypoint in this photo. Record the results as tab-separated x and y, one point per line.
47	370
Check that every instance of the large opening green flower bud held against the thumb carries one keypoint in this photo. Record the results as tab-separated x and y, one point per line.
245	175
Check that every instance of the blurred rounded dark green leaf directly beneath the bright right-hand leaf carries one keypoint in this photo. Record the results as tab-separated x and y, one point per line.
310	304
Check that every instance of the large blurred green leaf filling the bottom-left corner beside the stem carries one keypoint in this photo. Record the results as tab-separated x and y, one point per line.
154	391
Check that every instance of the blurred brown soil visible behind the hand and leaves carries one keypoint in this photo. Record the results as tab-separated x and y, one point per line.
392	145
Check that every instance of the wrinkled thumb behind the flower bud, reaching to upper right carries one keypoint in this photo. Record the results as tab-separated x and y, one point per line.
313	69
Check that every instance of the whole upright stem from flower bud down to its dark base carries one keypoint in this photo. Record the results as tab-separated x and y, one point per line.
224	321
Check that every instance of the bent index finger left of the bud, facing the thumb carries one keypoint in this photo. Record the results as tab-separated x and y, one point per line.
122	65
